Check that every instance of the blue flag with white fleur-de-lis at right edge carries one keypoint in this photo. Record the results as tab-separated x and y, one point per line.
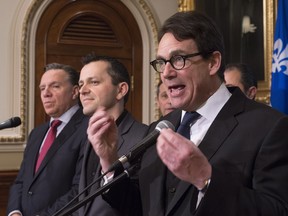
279	81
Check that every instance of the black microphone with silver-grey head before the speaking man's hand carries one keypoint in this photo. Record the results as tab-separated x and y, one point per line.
139	149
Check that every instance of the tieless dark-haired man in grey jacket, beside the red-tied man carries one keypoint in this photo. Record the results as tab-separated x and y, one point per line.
104	86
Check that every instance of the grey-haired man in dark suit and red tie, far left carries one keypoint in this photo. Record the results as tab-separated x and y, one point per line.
55	182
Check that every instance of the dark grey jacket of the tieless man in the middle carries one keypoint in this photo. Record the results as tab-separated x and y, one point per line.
130	132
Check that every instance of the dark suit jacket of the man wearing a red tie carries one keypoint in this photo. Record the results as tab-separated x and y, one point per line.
57	178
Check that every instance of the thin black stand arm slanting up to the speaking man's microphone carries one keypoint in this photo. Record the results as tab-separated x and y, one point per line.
125	174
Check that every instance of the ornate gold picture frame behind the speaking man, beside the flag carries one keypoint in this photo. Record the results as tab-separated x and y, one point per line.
269	11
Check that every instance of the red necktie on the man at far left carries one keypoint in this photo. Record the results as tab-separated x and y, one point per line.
48	142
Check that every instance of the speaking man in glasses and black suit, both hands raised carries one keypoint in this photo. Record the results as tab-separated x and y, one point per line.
231	158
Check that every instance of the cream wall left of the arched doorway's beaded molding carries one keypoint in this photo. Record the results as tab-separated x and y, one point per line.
12	15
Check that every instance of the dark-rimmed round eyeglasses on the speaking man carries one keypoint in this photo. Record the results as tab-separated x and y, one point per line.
177	62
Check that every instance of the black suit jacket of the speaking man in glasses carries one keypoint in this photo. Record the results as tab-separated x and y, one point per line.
247	146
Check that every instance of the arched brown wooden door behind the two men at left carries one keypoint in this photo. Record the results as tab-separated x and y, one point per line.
69	30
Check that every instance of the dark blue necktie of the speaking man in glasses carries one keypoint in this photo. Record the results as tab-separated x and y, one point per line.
188	119
